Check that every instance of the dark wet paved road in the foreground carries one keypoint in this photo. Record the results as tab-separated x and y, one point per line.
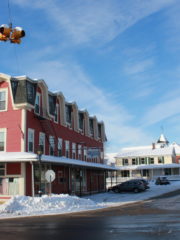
140	221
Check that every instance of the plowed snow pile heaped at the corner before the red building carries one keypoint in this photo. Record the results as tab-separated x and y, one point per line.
63	203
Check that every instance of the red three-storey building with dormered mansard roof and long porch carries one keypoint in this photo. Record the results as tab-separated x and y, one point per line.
71	142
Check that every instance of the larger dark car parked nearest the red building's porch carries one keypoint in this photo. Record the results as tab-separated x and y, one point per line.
128	186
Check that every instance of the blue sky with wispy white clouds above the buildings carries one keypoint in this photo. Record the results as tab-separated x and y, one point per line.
119	59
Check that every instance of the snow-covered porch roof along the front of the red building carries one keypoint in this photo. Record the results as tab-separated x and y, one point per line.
28	157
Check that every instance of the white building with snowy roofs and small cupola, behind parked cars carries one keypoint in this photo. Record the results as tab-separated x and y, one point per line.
160	158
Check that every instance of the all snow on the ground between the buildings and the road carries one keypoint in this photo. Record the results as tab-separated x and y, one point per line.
64	203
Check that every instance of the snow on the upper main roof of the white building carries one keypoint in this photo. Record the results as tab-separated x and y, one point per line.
144	152
